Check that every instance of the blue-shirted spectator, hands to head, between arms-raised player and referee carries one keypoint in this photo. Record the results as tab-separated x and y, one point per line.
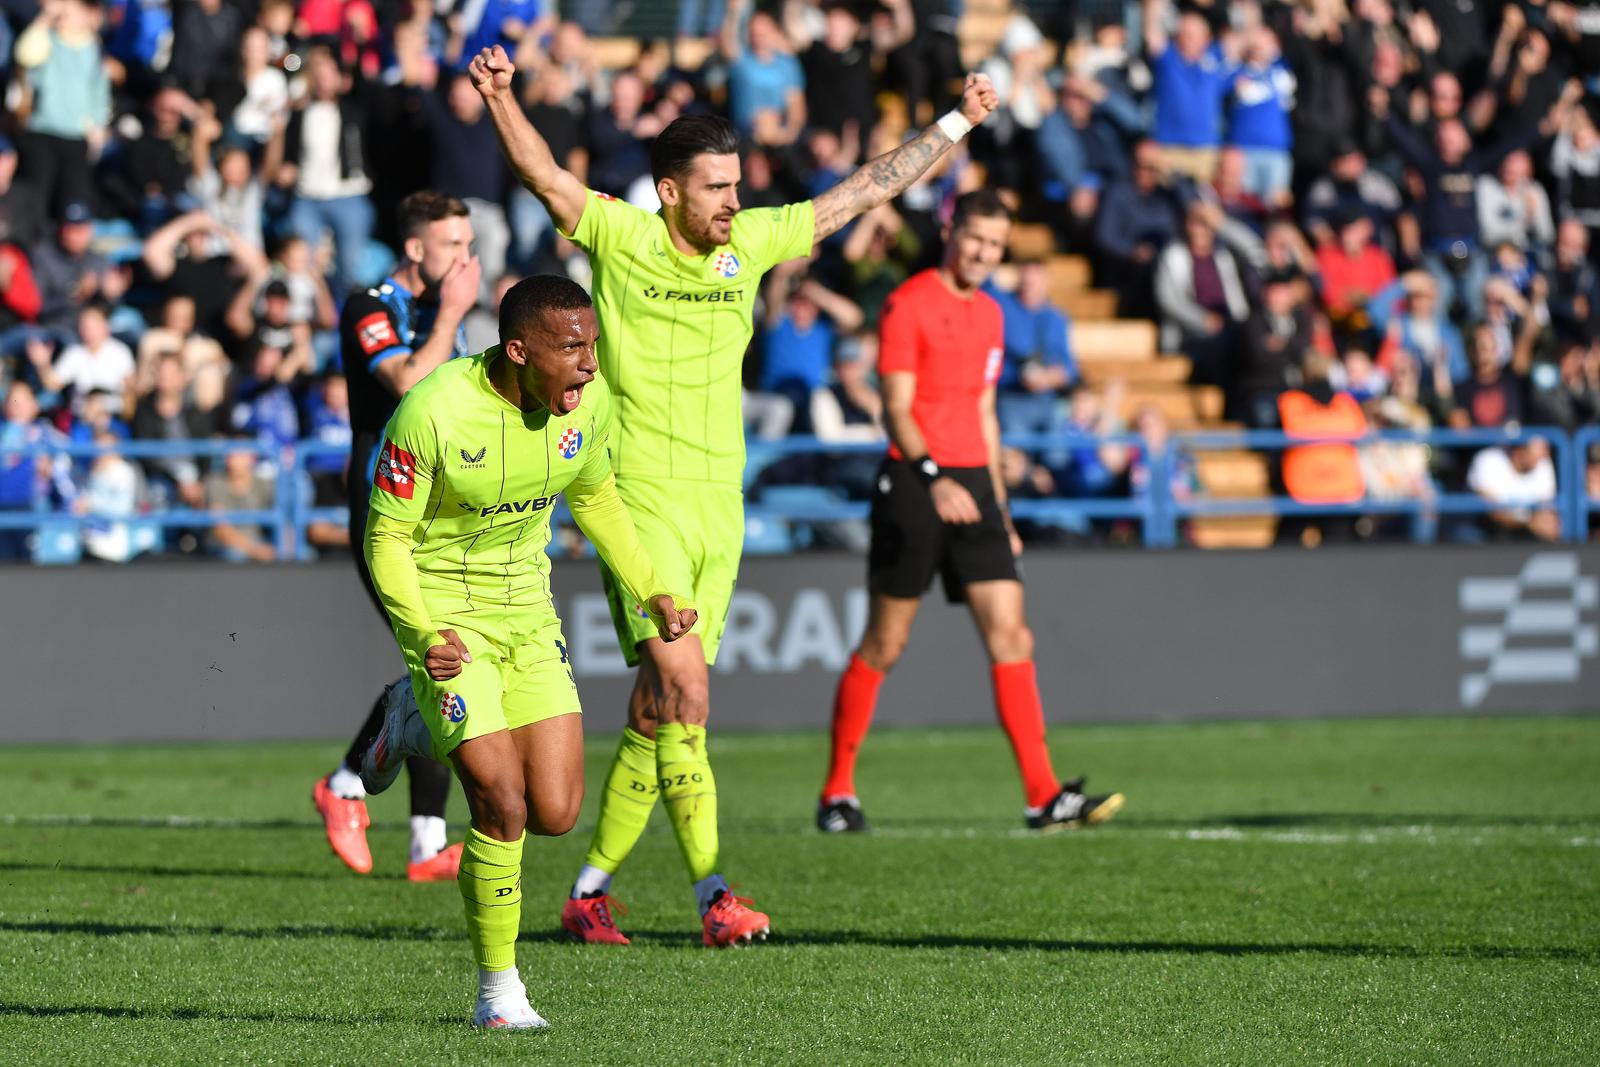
799	342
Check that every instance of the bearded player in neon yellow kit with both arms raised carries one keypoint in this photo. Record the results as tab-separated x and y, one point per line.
674	294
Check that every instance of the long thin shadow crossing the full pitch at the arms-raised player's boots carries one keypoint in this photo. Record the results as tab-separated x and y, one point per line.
838	938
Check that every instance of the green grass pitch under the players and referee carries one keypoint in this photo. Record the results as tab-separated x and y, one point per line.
1393	892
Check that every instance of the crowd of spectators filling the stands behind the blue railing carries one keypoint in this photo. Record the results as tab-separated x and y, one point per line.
1390	210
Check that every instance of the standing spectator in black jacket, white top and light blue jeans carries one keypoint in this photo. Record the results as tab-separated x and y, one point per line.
324	161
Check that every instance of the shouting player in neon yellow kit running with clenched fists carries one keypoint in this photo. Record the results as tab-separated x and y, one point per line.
471	466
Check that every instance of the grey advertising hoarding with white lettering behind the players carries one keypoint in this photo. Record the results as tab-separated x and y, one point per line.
193	652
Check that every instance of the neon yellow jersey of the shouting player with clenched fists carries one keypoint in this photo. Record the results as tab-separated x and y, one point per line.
478	479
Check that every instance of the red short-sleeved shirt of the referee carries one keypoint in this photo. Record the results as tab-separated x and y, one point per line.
954	348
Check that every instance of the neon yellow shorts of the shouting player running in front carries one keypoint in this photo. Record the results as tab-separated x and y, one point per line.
516	679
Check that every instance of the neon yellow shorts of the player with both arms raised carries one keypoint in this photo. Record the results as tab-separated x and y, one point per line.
695	535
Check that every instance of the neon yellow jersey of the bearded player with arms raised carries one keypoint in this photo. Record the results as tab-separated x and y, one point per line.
674	330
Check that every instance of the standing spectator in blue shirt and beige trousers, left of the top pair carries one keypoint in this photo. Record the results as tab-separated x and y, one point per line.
1193	79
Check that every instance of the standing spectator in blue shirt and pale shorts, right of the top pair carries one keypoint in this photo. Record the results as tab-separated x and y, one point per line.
1258	118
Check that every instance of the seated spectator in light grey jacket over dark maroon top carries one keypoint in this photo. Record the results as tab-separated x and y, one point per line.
1201	294
